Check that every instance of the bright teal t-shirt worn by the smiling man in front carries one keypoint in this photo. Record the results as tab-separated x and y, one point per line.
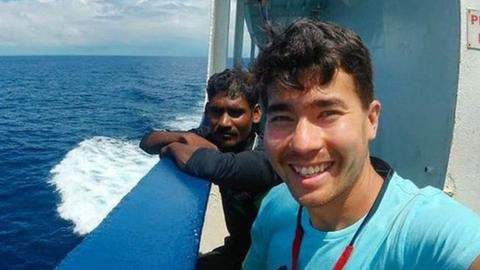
412	229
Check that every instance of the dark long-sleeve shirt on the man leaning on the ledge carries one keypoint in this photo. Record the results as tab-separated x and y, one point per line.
243	178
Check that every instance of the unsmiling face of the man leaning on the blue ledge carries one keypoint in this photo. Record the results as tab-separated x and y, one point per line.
231	120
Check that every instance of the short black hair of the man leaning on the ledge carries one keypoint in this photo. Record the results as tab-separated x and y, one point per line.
235	83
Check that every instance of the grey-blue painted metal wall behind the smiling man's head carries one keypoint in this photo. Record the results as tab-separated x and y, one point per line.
415	47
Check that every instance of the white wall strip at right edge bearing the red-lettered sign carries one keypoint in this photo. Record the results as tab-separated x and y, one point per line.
462	178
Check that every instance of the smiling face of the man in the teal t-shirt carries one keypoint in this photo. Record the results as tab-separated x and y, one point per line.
317	139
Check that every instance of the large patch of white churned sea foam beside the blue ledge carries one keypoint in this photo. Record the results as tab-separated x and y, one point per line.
94	176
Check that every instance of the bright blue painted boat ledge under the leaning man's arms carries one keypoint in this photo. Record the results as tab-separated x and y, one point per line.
156	226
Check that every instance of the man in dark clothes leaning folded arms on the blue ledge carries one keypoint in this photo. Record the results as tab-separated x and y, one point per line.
241	171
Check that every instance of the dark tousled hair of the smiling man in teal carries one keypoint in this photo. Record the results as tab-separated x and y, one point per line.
312	50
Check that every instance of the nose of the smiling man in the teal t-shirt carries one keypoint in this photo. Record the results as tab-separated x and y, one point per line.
306	137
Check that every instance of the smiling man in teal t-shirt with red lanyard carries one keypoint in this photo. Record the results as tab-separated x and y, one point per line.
340	208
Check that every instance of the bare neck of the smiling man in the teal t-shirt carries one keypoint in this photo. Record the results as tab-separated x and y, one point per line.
350	206
